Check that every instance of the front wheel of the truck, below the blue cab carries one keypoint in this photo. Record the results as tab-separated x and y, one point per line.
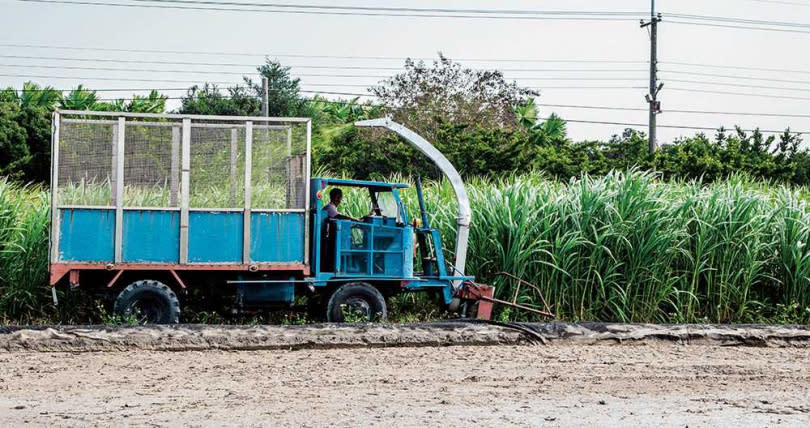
356	302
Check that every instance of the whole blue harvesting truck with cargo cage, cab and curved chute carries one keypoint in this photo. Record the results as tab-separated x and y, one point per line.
151	209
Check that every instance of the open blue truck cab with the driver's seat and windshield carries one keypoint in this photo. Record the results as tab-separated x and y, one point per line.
386	249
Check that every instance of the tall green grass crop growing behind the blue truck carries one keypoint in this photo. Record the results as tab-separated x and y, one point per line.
624	247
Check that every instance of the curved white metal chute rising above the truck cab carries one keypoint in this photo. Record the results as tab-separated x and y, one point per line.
464	213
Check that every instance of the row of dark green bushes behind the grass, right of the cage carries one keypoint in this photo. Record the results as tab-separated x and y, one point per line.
477	151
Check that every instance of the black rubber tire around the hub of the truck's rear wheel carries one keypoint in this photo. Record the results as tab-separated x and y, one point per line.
161	293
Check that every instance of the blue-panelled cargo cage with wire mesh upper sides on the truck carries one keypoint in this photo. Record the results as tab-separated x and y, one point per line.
179	190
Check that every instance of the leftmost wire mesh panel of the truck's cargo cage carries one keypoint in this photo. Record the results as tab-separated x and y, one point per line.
86	164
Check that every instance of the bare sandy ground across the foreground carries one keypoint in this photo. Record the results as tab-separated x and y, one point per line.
647	384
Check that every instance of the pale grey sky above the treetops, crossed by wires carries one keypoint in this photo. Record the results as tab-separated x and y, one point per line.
560	58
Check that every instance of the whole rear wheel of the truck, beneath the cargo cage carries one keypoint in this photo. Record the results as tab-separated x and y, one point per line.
150	302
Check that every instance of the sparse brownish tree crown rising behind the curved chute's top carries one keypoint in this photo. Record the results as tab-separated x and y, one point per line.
425	97
